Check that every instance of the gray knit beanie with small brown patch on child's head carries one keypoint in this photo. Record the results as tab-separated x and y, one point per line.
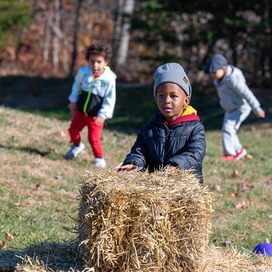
174	73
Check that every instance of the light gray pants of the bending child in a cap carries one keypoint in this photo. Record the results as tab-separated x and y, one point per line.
232	122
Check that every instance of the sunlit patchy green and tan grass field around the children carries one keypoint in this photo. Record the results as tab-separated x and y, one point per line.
39	188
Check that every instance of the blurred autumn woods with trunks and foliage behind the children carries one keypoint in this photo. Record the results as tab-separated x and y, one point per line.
53	34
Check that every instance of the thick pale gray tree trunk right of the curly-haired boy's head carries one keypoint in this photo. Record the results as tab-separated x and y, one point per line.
124	35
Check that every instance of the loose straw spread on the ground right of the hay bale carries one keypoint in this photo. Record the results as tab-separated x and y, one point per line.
229	260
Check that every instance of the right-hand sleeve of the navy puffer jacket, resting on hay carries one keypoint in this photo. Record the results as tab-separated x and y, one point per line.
192	155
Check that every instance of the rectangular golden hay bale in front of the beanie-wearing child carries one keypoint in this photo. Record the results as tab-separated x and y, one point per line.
134	221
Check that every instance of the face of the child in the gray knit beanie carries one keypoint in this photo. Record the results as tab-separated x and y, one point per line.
171	99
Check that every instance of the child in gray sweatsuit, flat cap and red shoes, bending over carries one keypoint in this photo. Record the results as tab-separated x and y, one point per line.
236	99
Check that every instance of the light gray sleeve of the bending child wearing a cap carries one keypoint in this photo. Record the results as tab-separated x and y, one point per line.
238	84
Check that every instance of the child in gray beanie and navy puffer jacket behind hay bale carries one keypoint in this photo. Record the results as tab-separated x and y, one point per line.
175	137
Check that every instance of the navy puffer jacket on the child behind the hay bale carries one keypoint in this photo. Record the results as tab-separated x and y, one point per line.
183	145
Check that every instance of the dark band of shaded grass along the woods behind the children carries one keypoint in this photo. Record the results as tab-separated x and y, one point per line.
135	104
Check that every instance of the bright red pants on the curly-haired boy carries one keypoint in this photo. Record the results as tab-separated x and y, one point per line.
80	120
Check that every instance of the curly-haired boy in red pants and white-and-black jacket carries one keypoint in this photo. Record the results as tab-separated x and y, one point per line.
92	99
